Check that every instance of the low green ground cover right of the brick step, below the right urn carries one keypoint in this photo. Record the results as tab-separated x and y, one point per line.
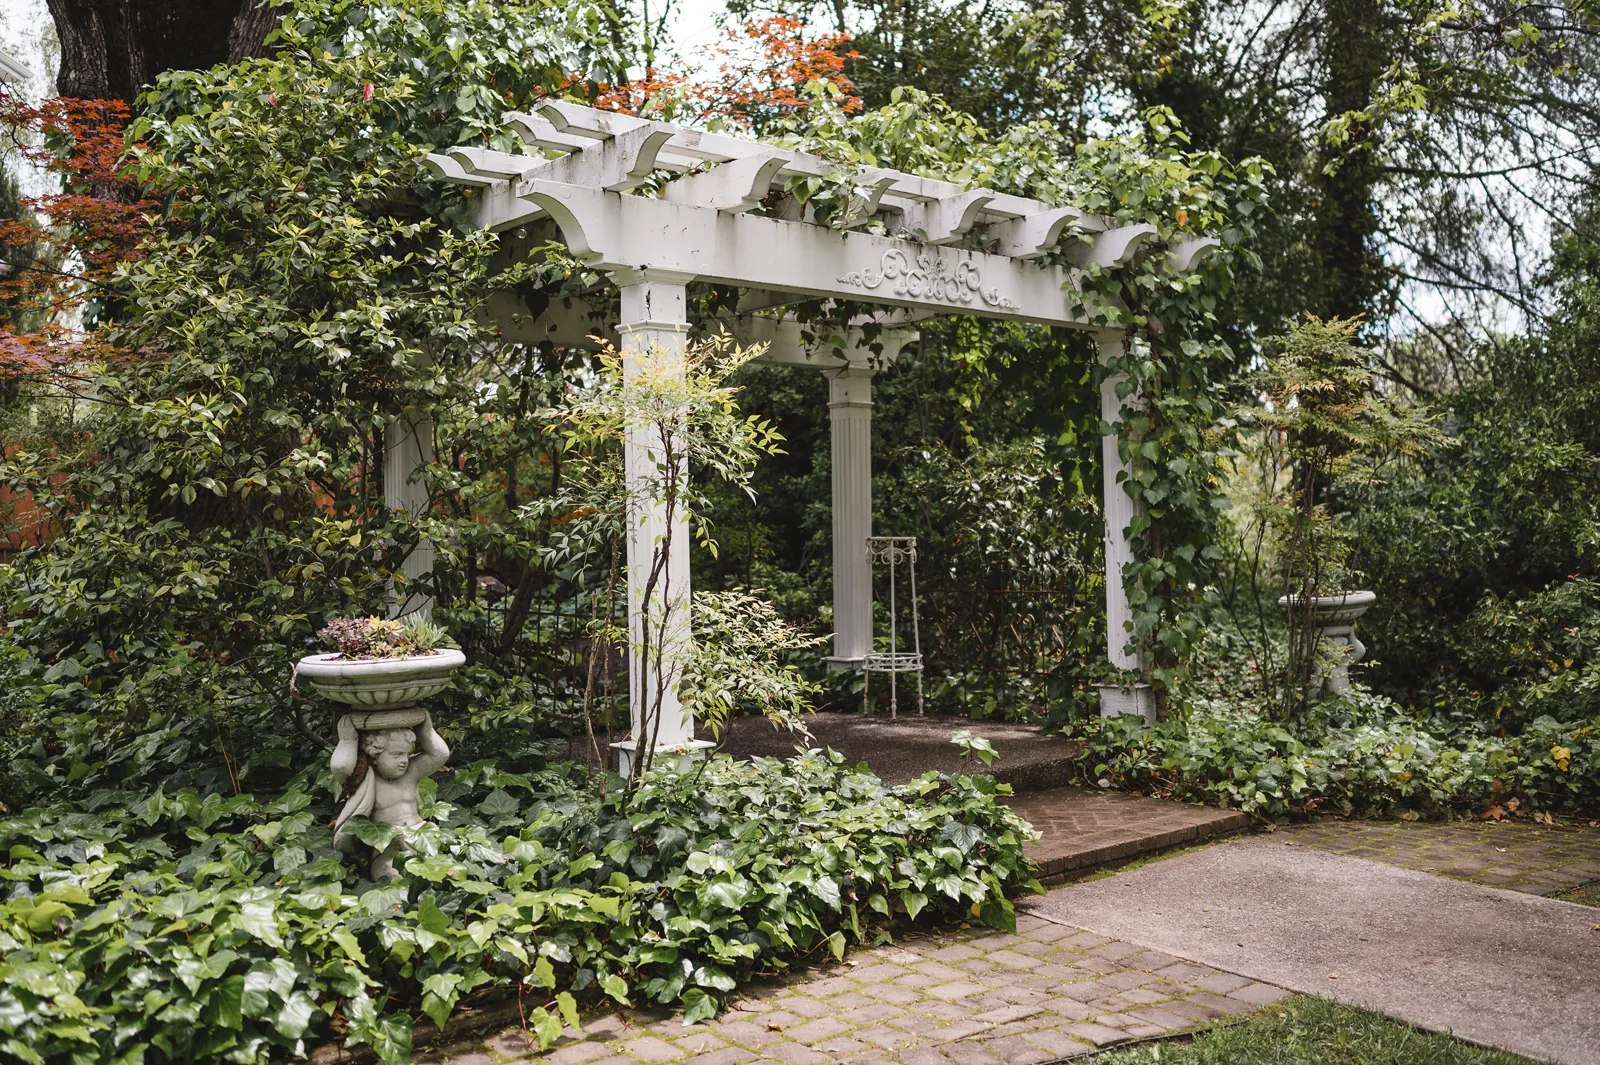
1359	756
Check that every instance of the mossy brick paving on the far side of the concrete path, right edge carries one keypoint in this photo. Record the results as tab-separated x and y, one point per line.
1535	860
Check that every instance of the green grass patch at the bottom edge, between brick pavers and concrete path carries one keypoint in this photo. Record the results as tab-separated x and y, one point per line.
1313	1032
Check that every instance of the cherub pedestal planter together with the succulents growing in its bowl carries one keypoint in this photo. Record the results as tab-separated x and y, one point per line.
390	746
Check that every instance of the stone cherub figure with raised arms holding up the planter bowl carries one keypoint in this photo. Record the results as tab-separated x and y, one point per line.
388	792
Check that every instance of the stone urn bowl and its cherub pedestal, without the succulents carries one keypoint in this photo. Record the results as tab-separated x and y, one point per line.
396	736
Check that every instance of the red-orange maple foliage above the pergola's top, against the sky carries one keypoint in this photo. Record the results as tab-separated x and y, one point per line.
762	70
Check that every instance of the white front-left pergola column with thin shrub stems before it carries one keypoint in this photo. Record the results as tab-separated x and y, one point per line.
654	335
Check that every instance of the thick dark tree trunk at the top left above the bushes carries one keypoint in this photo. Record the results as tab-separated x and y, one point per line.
114	49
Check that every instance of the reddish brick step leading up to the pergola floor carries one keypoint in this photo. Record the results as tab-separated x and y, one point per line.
1086	828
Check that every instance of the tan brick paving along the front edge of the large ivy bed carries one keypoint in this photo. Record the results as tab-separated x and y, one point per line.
966	999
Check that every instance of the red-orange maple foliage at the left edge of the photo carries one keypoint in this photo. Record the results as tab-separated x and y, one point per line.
86	231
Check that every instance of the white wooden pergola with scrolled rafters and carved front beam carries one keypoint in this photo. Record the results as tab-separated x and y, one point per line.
658	207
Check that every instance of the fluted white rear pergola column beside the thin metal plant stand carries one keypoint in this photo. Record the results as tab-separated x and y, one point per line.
850	409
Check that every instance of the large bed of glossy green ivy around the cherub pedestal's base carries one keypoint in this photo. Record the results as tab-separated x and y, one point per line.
186	927
